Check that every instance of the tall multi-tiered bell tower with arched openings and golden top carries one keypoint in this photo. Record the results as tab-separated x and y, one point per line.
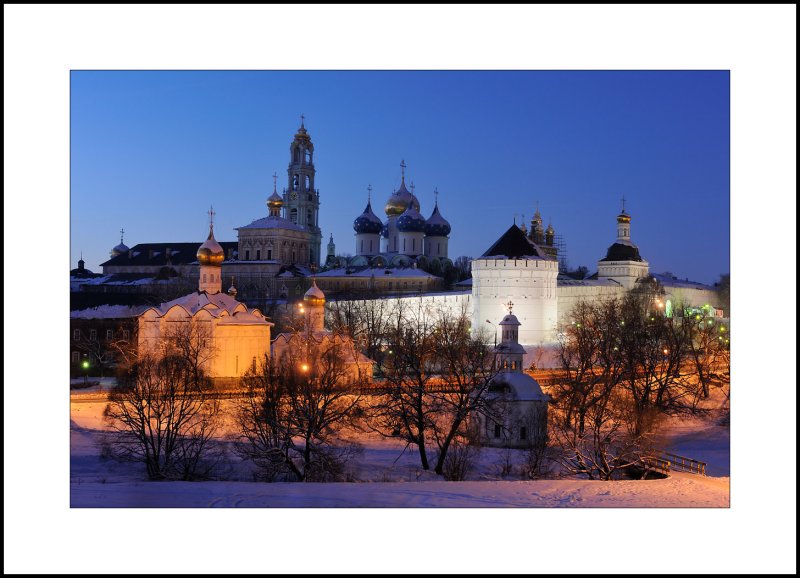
301	199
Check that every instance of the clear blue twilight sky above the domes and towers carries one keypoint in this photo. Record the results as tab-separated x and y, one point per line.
150	151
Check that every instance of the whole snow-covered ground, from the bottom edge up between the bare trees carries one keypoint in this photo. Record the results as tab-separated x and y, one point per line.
387	474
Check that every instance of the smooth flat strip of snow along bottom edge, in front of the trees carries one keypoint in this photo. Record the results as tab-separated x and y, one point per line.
682	490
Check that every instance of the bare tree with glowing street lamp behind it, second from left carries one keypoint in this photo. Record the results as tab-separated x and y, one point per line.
295	405
